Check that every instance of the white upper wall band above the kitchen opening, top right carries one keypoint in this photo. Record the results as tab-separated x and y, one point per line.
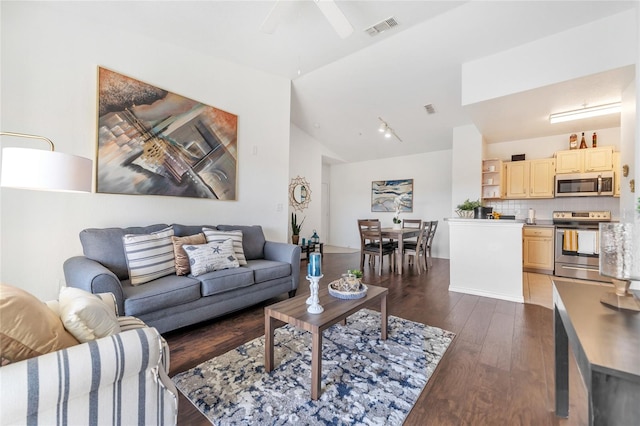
585	50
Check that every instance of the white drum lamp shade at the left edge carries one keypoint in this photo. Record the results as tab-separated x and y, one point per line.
27	168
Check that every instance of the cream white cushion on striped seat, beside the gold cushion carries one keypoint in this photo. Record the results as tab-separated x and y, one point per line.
86	315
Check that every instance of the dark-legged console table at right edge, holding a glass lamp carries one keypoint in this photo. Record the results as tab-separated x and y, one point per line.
606	345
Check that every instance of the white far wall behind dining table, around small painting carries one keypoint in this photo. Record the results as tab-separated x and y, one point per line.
351	195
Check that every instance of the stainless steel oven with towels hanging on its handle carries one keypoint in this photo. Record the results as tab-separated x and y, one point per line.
577	245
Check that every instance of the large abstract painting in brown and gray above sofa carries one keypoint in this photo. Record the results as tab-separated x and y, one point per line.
155	142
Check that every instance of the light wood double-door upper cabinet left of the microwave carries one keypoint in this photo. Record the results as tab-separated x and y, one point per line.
530	179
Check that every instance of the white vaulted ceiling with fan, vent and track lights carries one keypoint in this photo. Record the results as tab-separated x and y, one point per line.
341	86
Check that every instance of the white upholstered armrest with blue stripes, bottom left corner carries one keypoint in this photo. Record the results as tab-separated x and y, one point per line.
116	379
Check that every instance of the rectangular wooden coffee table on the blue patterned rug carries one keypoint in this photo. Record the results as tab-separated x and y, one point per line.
294	311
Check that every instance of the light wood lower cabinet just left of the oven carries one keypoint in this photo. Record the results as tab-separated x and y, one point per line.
537	249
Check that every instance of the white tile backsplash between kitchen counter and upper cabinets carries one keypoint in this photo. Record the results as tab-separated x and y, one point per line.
545	208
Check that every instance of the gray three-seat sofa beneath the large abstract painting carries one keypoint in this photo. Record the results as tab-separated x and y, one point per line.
174	301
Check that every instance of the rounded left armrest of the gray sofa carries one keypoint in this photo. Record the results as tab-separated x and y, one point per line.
89	275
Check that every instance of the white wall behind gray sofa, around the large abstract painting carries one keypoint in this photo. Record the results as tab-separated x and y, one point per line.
48	82
